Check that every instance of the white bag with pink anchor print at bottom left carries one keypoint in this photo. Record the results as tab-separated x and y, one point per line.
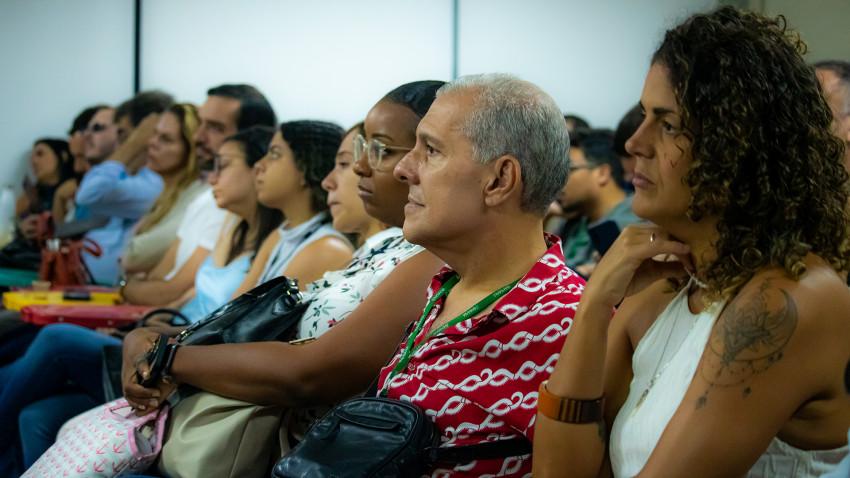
106	441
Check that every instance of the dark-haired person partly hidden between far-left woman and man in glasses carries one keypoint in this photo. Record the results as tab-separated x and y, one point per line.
64	208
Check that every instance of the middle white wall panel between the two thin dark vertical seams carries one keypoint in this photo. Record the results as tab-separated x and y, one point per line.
331	59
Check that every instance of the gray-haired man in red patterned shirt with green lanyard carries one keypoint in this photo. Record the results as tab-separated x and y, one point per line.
490	156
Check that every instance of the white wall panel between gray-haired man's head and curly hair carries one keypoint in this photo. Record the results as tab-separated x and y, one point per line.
592	57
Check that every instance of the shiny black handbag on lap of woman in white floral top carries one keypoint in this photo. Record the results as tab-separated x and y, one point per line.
267	312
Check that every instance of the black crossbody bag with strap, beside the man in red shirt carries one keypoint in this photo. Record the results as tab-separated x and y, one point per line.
380	437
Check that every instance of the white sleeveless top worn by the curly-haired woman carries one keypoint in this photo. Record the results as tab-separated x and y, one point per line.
664	364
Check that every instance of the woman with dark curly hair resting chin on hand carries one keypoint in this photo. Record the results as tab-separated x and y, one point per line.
727	350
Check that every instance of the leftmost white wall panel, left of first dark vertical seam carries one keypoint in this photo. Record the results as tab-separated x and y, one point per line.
57	57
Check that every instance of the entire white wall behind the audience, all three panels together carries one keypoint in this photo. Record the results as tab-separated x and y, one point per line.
328	59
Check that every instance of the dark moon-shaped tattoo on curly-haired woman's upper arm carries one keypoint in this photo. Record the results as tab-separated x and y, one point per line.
748	339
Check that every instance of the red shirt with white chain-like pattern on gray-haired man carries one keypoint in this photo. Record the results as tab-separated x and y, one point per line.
478	379
